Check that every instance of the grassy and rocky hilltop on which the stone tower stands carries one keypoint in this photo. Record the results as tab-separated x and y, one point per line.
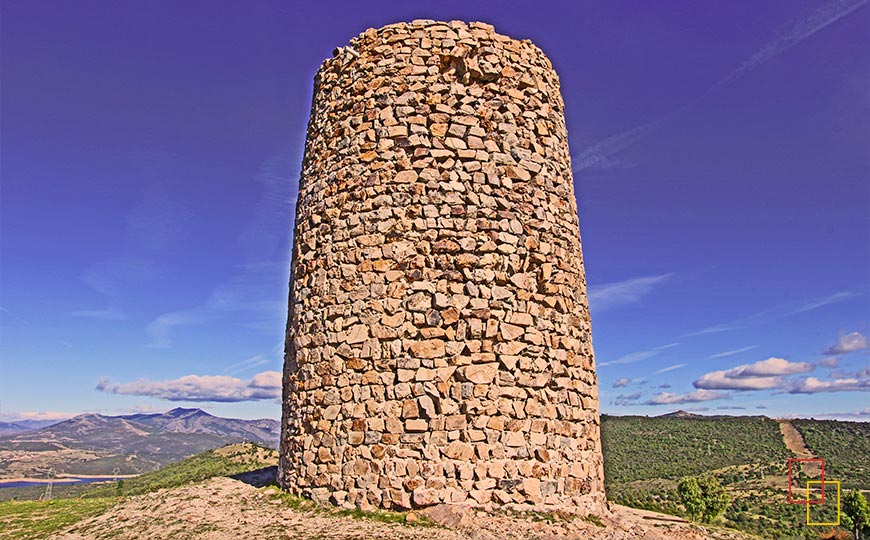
206	497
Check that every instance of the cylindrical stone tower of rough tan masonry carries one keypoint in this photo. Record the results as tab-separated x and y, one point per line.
438	341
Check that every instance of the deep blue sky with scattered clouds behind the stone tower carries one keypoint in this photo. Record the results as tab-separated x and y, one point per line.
151	150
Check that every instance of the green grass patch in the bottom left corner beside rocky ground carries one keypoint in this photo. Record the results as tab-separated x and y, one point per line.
32	520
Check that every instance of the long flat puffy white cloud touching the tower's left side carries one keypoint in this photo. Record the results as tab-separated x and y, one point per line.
220	388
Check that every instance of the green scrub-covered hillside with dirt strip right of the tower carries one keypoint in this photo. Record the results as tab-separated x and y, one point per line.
645	457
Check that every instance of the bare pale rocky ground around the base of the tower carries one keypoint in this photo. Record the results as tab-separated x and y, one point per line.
224	508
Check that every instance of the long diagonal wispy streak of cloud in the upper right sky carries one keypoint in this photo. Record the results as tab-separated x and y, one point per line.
604	154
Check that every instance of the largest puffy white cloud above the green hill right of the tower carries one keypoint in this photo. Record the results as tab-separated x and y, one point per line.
763	375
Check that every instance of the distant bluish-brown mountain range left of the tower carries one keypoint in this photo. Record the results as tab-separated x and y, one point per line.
96	444
